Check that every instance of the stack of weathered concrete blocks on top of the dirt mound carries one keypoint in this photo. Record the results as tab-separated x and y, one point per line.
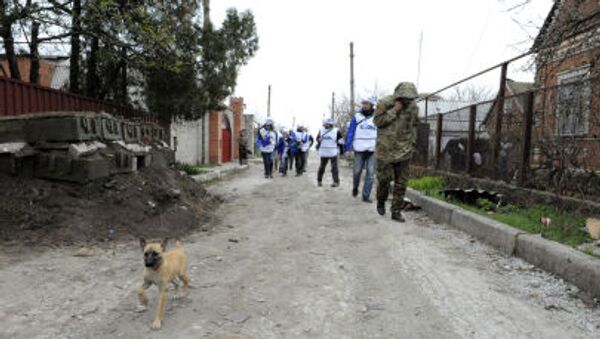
79	146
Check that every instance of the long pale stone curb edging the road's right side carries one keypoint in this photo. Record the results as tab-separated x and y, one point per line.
578	268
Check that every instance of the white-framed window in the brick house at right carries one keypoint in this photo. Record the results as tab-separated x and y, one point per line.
574	95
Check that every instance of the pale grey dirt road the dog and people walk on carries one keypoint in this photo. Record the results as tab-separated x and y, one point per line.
291	260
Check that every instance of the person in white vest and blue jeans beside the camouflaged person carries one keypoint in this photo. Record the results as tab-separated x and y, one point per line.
361	139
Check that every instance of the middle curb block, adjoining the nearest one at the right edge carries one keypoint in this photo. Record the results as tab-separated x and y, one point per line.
499	235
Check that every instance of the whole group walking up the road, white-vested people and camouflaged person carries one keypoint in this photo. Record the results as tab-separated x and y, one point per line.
381	138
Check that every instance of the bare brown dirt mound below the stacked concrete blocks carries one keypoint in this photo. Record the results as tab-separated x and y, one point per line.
151	203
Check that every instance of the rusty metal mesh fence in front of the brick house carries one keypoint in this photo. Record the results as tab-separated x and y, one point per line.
546	138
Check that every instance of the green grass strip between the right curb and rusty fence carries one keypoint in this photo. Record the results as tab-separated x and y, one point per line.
565	227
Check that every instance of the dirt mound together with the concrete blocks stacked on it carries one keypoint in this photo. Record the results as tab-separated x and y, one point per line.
82	177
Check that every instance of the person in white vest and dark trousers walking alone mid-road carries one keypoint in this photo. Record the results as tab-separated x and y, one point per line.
328	140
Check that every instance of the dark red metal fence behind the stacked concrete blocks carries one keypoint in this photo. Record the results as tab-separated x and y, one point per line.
17	98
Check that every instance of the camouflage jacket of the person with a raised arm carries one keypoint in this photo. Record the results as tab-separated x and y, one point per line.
396	131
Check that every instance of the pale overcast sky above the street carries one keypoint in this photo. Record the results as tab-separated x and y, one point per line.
304	48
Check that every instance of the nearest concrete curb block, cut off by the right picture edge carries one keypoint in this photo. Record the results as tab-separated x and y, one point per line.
578	268
